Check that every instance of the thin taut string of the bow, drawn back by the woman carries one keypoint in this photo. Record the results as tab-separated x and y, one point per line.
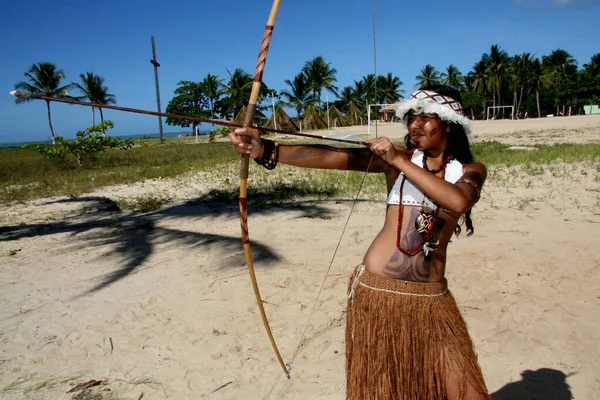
355	201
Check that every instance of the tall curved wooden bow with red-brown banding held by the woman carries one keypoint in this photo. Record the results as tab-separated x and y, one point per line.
248	121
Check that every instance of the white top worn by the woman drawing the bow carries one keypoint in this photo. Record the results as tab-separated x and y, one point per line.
411	194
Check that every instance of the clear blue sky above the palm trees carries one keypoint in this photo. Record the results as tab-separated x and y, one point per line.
112	39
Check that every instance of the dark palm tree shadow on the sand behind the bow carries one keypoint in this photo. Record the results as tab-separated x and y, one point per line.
134	236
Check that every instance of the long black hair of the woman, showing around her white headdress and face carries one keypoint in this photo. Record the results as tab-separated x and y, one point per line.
458	144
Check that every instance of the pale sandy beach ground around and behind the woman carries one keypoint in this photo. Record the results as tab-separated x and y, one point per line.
161	304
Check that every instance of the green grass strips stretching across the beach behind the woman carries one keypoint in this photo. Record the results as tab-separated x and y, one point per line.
25	175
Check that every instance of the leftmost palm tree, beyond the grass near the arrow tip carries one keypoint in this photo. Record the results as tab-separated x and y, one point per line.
44	80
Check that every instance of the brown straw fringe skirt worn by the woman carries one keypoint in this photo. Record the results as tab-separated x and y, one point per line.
408	341
